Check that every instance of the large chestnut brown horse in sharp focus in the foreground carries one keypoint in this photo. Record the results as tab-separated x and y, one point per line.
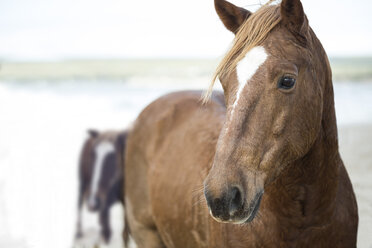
265	152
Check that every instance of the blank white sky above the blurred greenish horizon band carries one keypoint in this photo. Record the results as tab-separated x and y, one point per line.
33	30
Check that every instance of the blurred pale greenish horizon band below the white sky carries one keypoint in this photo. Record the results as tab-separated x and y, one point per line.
355	69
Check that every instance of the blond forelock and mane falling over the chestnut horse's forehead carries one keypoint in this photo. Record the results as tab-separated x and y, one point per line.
251	34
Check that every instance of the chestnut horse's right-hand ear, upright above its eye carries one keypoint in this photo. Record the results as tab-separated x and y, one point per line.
293	17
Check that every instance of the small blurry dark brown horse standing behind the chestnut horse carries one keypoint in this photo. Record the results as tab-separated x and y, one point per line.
101	177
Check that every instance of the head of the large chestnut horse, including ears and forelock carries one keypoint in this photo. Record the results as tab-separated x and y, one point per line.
274	79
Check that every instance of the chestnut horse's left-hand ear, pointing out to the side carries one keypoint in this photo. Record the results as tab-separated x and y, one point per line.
231	16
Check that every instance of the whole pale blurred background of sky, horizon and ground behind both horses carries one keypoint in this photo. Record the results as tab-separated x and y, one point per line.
69	65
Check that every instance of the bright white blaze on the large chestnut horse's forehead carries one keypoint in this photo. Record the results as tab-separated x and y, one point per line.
247	67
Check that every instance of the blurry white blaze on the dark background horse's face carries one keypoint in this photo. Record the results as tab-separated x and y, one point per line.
101	152
